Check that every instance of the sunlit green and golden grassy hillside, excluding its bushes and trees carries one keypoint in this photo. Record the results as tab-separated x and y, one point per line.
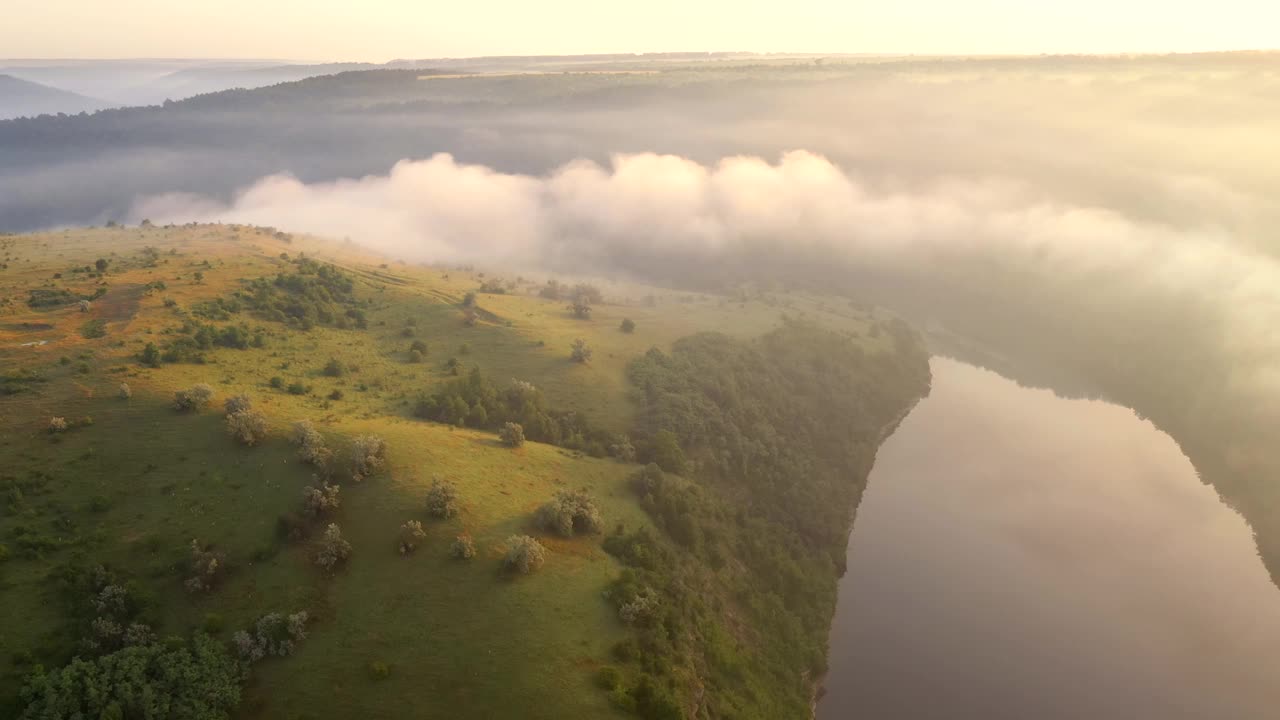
134	482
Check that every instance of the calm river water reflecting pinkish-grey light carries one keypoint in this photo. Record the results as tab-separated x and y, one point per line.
1018	555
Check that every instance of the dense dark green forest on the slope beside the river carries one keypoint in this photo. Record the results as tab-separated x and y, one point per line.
758	453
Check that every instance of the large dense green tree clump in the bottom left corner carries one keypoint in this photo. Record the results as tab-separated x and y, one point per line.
196	681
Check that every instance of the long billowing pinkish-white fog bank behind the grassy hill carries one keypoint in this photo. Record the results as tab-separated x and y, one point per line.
643	215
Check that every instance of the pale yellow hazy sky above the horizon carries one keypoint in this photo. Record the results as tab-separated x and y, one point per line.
385	30
